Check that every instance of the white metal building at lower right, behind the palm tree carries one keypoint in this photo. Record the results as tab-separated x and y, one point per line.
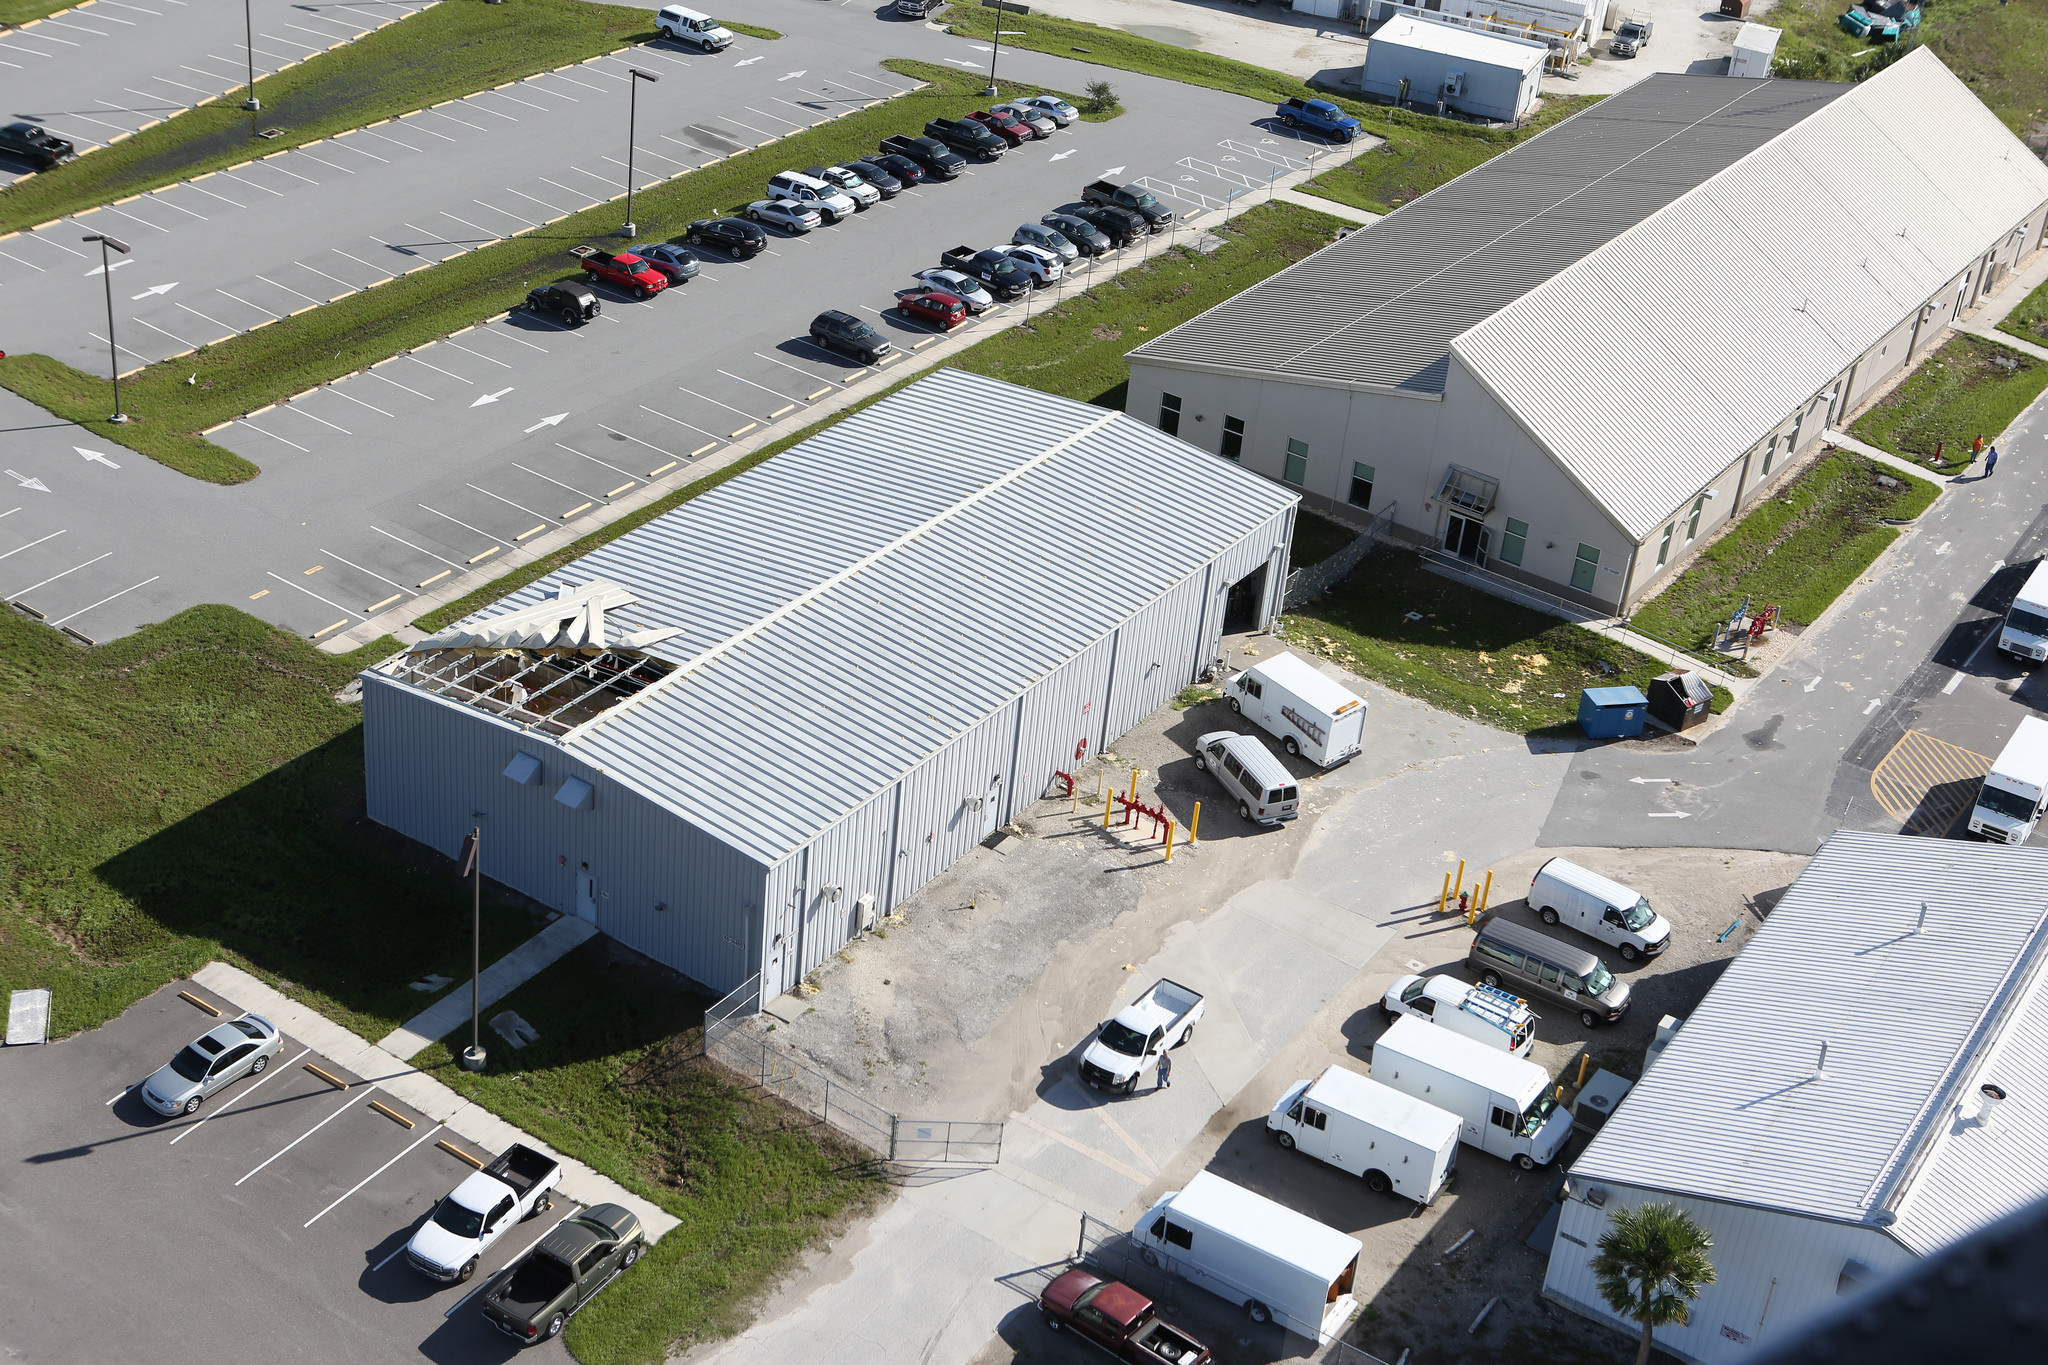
1863	1088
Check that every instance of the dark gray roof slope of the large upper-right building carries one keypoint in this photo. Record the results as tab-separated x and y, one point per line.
1383	304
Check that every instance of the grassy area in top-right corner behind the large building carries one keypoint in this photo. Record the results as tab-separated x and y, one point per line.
2000	50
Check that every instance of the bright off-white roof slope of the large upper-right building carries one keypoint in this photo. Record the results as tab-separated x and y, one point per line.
1805	255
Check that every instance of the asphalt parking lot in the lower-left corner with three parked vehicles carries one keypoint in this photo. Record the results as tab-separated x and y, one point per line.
263	1229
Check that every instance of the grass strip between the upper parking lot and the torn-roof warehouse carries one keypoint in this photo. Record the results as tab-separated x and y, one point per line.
1074	351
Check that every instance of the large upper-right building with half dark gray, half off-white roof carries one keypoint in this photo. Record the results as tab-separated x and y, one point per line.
1578	361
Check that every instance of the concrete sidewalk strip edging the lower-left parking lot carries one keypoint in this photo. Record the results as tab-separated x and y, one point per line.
415	1088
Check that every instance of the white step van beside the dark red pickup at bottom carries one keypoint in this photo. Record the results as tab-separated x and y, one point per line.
1275	1264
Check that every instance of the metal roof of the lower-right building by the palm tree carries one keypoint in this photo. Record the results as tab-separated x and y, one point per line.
1916	1014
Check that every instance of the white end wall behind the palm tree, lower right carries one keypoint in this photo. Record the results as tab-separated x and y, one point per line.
1773	1270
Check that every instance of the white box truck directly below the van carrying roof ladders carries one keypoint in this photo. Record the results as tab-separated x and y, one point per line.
1504	1104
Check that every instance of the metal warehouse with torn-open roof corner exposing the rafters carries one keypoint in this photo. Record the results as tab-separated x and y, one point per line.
740	734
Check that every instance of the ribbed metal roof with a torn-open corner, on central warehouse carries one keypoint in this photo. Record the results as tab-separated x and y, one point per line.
871	595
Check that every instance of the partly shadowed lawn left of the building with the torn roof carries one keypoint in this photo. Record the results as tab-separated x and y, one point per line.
196	793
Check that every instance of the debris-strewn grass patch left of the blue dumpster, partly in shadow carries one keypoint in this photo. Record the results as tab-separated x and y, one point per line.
1469	654
